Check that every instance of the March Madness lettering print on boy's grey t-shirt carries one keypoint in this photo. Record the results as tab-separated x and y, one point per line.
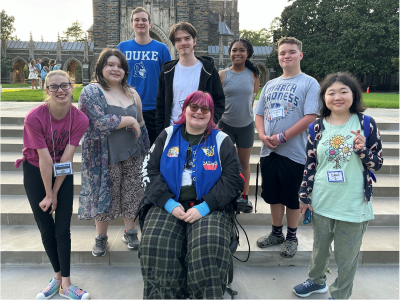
280	100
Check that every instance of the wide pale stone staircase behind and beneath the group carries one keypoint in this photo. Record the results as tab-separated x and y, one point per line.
21	242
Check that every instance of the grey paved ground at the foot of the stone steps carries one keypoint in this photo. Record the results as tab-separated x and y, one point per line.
120	282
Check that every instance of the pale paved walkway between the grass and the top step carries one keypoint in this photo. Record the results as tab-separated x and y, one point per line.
20	109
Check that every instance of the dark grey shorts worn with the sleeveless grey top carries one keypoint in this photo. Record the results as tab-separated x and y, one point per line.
243	137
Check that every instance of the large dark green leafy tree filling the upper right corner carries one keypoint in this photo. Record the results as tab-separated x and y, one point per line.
358	36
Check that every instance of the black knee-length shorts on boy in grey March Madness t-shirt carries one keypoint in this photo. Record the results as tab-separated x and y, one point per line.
281	180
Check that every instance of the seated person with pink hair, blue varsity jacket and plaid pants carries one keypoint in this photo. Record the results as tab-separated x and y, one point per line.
191	176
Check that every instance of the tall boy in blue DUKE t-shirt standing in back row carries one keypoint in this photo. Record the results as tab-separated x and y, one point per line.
145	57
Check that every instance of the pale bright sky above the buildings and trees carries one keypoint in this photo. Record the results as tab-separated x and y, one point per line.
47	18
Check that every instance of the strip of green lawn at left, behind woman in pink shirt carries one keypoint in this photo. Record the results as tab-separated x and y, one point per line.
32	95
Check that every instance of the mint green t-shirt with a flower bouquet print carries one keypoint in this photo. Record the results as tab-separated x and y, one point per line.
342	201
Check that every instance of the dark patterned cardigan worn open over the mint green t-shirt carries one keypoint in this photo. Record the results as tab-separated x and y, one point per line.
370	155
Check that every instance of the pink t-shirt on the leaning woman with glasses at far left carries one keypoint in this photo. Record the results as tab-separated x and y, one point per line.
37	133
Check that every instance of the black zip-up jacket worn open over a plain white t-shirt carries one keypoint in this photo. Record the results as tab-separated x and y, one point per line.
209	82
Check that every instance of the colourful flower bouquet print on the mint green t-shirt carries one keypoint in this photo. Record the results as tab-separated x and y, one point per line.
339	150
